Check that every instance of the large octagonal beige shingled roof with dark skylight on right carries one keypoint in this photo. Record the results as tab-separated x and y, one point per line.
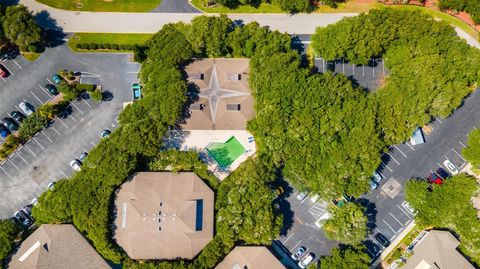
163	215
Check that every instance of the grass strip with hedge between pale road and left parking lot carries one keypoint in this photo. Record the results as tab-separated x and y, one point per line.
104	38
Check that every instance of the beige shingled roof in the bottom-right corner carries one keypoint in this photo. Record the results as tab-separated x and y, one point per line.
437	250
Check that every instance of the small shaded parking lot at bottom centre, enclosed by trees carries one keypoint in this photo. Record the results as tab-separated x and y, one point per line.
299	226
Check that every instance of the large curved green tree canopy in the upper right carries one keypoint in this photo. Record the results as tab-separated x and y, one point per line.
430	68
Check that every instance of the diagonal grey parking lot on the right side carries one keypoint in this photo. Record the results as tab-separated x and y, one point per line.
406	161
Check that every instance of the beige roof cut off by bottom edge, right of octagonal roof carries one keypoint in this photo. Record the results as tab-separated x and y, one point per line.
251	258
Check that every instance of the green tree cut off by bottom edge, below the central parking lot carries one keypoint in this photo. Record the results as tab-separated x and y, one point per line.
346	258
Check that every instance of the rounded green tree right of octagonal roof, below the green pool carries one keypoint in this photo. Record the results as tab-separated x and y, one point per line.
244	204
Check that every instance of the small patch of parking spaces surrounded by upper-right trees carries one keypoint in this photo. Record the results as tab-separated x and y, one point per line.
368	76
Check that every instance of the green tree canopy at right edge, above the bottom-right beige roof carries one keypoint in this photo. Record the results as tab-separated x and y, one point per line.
448	206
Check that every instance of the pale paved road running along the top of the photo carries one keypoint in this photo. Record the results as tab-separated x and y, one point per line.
117	22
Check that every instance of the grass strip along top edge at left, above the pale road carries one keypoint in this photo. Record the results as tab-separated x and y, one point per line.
103	5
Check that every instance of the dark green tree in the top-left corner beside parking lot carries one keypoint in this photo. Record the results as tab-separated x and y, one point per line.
20	27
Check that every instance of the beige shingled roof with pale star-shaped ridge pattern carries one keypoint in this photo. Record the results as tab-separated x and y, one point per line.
225	101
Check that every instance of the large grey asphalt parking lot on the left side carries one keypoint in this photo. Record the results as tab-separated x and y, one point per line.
46	157
